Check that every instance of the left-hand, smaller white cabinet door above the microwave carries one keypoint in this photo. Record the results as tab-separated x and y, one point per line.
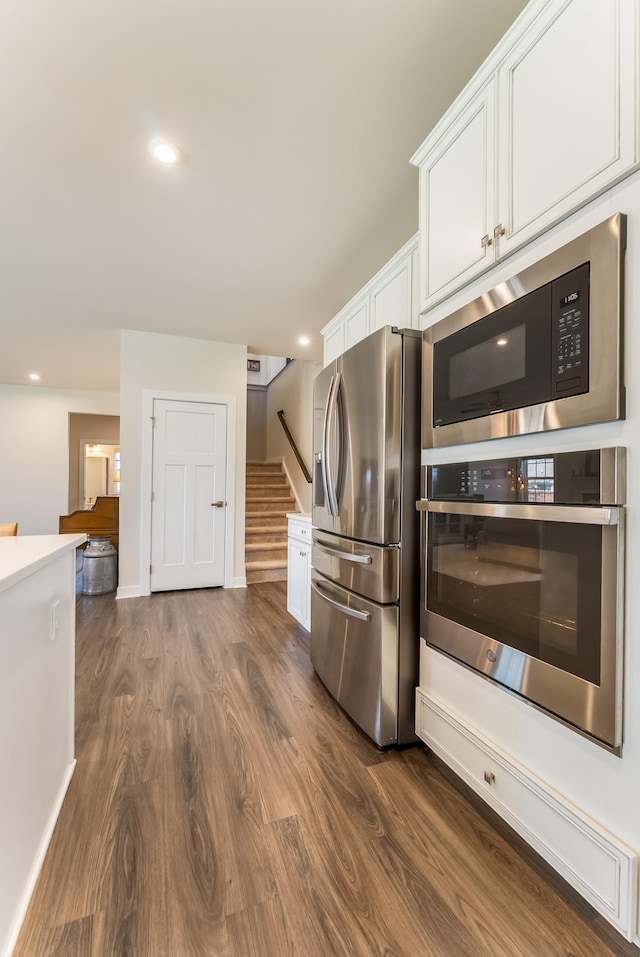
457	209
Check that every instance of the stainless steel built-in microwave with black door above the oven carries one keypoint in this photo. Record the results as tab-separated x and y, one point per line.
541	351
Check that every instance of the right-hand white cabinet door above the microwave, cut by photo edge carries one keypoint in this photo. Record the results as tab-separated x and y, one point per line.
567	122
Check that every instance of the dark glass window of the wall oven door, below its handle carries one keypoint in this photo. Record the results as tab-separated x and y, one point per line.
533	584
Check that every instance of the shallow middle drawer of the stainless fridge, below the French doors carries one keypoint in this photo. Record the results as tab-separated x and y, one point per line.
370	570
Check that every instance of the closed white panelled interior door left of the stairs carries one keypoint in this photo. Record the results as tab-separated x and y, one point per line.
188	510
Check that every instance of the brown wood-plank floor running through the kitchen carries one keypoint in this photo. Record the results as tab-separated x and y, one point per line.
222	804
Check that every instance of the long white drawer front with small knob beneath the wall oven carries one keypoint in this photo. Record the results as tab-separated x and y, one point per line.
599	866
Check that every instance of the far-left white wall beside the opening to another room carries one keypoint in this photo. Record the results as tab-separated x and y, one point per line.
34	437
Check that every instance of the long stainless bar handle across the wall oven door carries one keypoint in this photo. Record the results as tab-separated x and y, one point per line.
576	514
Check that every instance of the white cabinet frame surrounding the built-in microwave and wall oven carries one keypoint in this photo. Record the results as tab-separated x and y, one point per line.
602	785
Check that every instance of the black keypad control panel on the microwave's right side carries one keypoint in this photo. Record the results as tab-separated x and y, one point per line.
570	333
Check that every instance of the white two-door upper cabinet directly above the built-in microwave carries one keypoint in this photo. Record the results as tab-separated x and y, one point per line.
546	124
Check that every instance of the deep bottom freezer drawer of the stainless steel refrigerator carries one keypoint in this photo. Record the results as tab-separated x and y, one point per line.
354	651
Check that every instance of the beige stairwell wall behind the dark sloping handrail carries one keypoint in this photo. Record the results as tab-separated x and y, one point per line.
292	391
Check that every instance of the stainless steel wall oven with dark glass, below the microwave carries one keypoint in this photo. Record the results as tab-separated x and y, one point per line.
522	579
